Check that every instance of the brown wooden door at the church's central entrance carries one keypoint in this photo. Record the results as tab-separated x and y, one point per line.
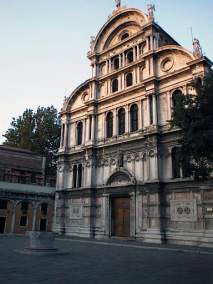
121	217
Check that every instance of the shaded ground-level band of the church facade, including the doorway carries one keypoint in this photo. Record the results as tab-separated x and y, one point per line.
177	212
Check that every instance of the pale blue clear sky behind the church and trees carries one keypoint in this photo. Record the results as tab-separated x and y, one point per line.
43	45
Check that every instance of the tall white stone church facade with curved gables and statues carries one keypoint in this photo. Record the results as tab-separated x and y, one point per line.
118	174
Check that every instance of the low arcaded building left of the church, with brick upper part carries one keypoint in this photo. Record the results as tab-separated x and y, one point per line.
25	203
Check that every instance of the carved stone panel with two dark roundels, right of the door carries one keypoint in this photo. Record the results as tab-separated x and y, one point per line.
183	210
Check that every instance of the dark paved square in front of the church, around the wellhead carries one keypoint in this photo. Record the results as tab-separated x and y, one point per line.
112	262
